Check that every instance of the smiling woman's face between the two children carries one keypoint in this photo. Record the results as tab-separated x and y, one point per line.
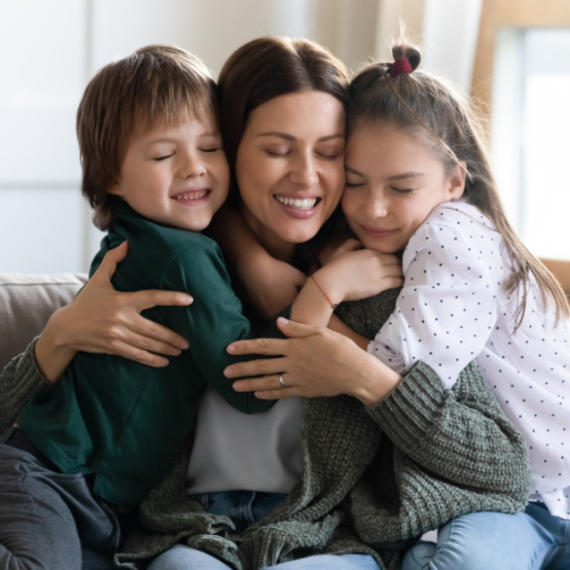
290	168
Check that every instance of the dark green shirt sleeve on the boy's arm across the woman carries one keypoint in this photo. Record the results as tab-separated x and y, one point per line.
214	320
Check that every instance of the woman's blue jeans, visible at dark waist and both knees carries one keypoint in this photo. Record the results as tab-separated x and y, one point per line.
245	508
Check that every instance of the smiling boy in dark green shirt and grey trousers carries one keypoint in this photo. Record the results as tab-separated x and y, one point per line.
155	173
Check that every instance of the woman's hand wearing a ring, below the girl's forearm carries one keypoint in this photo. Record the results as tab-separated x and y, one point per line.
313	362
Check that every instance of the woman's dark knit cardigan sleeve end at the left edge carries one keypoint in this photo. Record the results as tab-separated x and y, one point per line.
20	380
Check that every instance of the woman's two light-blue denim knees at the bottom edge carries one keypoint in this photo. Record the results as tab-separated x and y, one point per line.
181	557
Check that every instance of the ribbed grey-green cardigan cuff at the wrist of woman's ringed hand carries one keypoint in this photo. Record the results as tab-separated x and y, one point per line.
409	411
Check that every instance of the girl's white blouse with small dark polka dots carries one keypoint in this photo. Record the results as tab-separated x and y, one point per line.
454	308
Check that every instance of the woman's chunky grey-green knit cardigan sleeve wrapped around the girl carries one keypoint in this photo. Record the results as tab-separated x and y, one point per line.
461	435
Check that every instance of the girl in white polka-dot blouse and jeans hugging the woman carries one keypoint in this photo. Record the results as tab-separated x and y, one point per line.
419	181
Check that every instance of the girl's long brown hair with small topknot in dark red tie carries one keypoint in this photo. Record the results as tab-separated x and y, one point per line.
417	101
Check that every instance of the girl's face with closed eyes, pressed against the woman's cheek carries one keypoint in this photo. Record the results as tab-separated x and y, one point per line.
393	182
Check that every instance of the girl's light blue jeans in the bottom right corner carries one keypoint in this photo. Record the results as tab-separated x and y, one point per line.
532	540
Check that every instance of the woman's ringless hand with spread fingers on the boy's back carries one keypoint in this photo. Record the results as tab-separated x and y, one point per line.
102	320
